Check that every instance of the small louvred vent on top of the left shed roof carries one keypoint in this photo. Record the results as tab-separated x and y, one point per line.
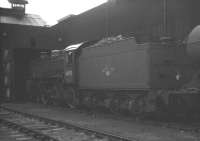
18	6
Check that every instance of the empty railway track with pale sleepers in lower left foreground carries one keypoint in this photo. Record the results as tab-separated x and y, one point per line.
51	130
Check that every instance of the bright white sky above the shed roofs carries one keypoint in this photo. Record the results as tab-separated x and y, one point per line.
53	10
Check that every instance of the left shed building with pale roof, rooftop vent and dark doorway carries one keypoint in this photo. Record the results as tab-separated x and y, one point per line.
18	31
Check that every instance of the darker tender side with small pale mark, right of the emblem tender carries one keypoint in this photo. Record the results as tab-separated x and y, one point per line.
170	67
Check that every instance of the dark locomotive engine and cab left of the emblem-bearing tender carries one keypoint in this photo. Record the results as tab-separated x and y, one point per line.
49	76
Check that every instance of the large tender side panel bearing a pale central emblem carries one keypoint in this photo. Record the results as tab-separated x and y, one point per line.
118	65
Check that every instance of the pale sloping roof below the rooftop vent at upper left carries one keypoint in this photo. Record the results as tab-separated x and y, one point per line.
27	19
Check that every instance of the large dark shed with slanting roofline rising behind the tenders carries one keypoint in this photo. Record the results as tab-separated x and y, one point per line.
146	20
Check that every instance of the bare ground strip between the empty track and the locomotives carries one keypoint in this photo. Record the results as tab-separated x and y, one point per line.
131	128
